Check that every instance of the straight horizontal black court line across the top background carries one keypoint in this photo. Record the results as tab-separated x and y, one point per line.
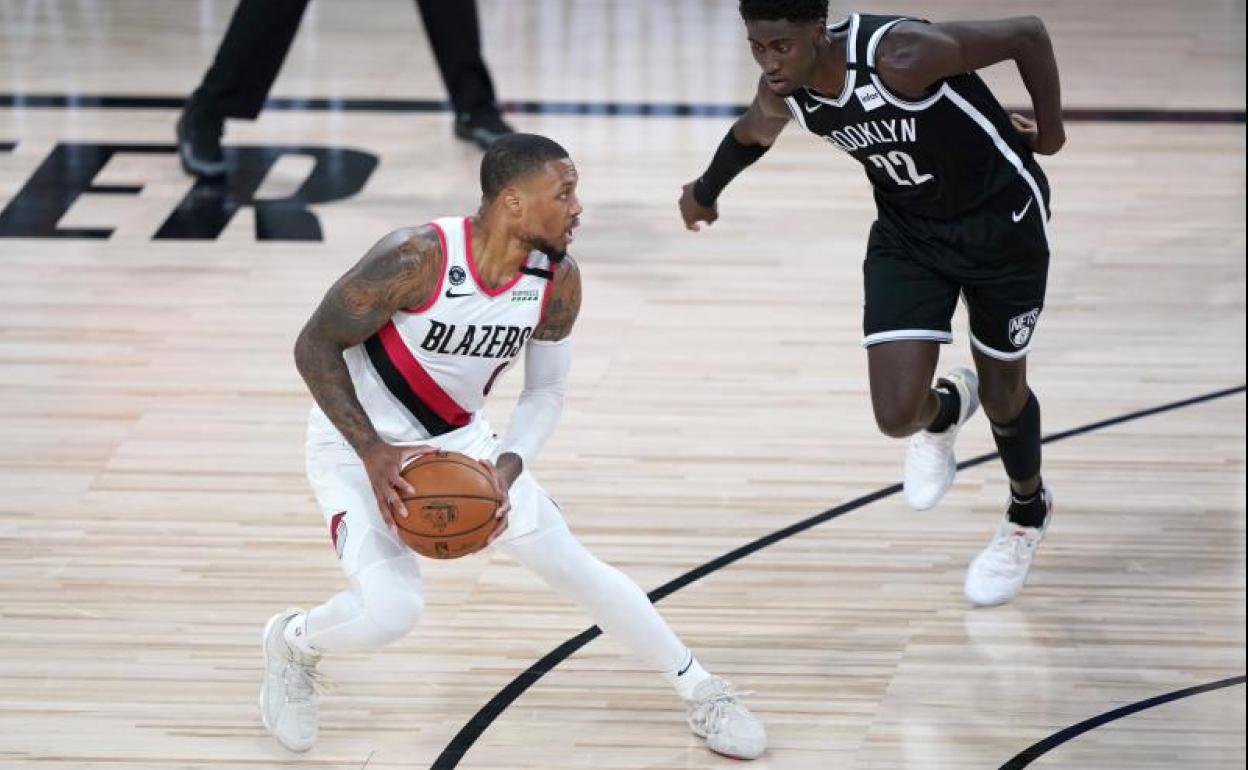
627	109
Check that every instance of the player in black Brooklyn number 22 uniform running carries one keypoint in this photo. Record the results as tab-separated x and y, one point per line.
963	212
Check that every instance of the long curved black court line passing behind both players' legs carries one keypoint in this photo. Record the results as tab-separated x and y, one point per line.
484	718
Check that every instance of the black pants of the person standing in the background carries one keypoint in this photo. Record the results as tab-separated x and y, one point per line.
261	33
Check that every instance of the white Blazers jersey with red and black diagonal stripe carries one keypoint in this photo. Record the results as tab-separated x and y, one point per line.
429	370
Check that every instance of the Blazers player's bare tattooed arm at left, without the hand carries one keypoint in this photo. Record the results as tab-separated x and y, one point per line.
401	271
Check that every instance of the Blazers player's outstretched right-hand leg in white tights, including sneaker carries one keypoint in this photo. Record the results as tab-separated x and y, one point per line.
623	611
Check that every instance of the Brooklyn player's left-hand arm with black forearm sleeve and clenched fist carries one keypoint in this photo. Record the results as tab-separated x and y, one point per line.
746	143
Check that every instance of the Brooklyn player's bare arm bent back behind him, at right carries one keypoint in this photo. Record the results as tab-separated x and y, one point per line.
914	56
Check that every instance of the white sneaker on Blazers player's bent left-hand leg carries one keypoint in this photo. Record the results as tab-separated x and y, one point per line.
289	694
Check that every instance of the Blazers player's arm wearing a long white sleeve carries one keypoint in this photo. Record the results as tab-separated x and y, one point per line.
547	363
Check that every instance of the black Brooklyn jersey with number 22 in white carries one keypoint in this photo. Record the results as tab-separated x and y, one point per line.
940	157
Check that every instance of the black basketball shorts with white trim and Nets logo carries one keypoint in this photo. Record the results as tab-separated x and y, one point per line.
995	258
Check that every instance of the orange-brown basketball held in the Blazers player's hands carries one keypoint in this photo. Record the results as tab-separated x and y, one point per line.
452	512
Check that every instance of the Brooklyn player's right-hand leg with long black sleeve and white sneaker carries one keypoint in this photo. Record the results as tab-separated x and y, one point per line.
1000	571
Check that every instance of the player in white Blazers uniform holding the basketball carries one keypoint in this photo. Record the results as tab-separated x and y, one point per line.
400	358
